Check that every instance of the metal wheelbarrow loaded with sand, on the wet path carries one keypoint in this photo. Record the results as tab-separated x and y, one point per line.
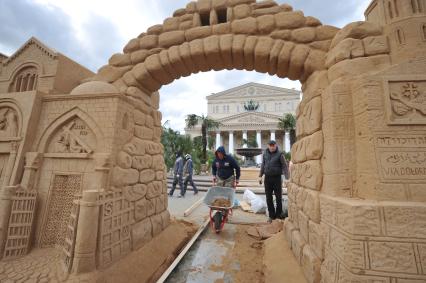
219	214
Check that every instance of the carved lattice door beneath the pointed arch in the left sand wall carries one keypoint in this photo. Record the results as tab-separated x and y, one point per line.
64	189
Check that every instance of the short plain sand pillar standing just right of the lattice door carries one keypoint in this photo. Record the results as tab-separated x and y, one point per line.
87	230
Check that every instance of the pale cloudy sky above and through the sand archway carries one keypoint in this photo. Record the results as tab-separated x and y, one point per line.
90	31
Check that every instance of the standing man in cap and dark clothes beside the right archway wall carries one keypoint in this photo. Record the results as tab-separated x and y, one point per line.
273	166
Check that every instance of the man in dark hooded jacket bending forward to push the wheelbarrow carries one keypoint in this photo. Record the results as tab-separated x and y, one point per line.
225	169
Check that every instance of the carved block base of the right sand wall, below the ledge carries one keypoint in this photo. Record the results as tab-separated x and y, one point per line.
373	239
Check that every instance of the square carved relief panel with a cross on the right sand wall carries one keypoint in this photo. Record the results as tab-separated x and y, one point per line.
407	102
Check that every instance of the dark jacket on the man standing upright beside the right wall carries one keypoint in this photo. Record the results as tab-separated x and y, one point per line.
273	164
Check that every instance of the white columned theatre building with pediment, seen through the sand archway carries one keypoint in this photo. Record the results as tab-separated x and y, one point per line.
247	112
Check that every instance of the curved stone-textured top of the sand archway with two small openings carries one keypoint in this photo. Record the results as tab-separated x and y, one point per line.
217	35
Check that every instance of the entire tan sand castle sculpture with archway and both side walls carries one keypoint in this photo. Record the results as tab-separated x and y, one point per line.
81	165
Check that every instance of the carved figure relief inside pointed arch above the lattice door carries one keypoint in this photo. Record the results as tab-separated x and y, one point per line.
74	137
